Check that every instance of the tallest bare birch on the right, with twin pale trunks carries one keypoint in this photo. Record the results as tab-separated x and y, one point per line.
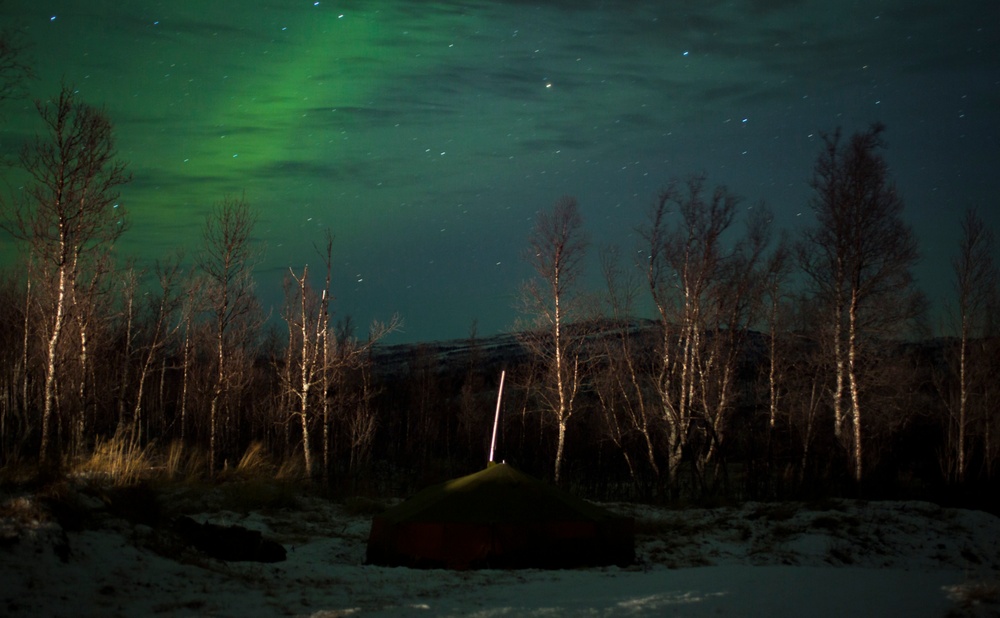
858	261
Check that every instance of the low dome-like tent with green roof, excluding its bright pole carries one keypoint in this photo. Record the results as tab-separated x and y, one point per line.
499	518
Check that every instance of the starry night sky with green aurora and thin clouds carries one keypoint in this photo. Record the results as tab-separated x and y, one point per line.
426	135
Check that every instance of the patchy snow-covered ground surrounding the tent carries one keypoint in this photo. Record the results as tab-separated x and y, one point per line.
838	558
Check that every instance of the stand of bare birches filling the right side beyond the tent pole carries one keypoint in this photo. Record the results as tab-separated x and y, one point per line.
776	362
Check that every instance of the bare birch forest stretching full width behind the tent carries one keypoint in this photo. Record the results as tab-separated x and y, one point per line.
771	366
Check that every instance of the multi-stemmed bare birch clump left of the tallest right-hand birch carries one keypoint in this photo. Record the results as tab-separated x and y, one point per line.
687	279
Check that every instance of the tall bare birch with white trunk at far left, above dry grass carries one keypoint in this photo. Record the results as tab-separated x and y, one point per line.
69	215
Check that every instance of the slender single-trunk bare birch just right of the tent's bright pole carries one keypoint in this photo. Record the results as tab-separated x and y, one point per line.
556	248
